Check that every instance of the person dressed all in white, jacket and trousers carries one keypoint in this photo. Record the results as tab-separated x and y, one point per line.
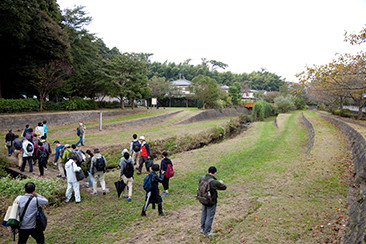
72	183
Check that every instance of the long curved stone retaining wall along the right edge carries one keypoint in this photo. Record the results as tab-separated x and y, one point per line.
355	232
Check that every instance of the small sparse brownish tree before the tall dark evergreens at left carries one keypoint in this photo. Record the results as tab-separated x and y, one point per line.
49	77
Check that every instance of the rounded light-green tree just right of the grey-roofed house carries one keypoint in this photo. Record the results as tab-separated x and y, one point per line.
205	90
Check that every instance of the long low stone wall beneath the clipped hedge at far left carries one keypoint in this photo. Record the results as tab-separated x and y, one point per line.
18	122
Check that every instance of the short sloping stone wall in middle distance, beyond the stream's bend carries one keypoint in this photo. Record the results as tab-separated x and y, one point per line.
215	114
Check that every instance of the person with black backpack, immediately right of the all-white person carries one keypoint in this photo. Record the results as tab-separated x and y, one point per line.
98	167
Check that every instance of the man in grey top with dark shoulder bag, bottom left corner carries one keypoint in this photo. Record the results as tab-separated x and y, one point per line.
28	223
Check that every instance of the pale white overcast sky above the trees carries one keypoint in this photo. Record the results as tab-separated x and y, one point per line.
282	36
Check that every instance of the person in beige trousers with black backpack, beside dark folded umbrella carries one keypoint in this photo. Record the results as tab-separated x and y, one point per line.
127	168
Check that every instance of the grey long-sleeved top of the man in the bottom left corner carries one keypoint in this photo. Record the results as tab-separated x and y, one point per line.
29	219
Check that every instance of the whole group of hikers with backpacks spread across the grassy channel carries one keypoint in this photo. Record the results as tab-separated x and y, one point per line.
131	160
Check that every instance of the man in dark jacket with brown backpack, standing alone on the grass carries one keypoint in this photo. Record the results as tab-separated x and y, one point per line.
207	196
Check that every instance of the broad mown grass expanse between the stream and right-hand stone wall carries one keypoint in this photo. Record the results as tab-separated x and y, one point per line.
274	195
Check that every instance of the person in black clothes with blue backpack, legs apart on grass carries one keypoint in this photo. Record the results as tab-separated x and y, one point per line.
152	190
